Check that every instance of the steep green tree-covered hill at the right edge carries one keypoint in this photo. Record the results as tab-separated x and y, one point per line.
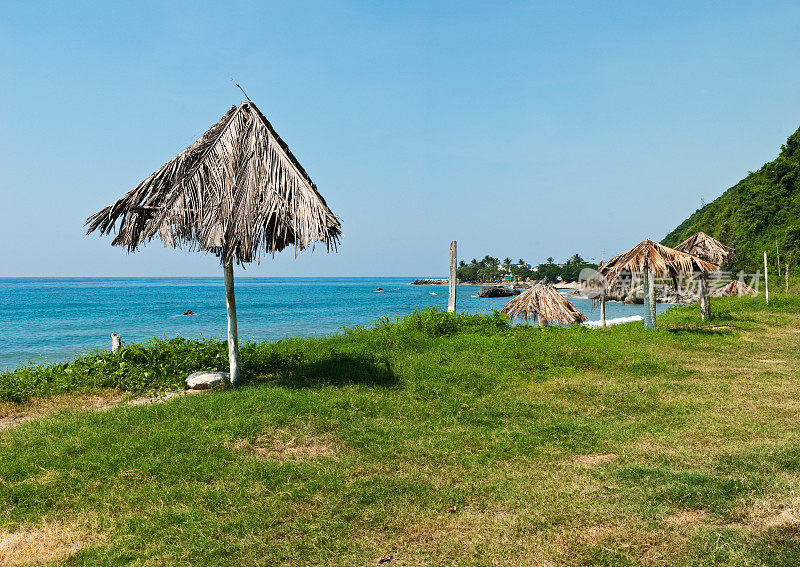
760	209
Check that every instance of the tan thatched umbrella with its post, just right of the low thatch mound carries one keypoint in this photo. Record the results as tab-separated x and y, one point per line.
650	258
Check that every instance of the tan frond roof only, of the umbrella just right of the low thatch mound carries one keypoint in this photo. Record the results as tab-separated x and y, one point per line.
658	258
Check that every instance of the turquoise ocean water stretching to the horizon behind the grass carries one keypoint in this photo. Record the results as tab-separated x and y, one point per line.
53	319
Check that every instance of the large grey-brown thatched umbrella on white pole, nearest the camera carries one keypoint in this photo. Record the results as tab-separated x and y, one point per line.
236	192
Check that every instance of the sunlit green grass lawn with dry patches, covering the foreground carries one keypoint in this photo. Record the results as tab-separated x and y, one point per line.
433	441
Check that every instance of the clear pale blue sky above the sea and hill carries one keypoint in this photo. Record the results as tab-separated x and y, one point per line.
520	129
